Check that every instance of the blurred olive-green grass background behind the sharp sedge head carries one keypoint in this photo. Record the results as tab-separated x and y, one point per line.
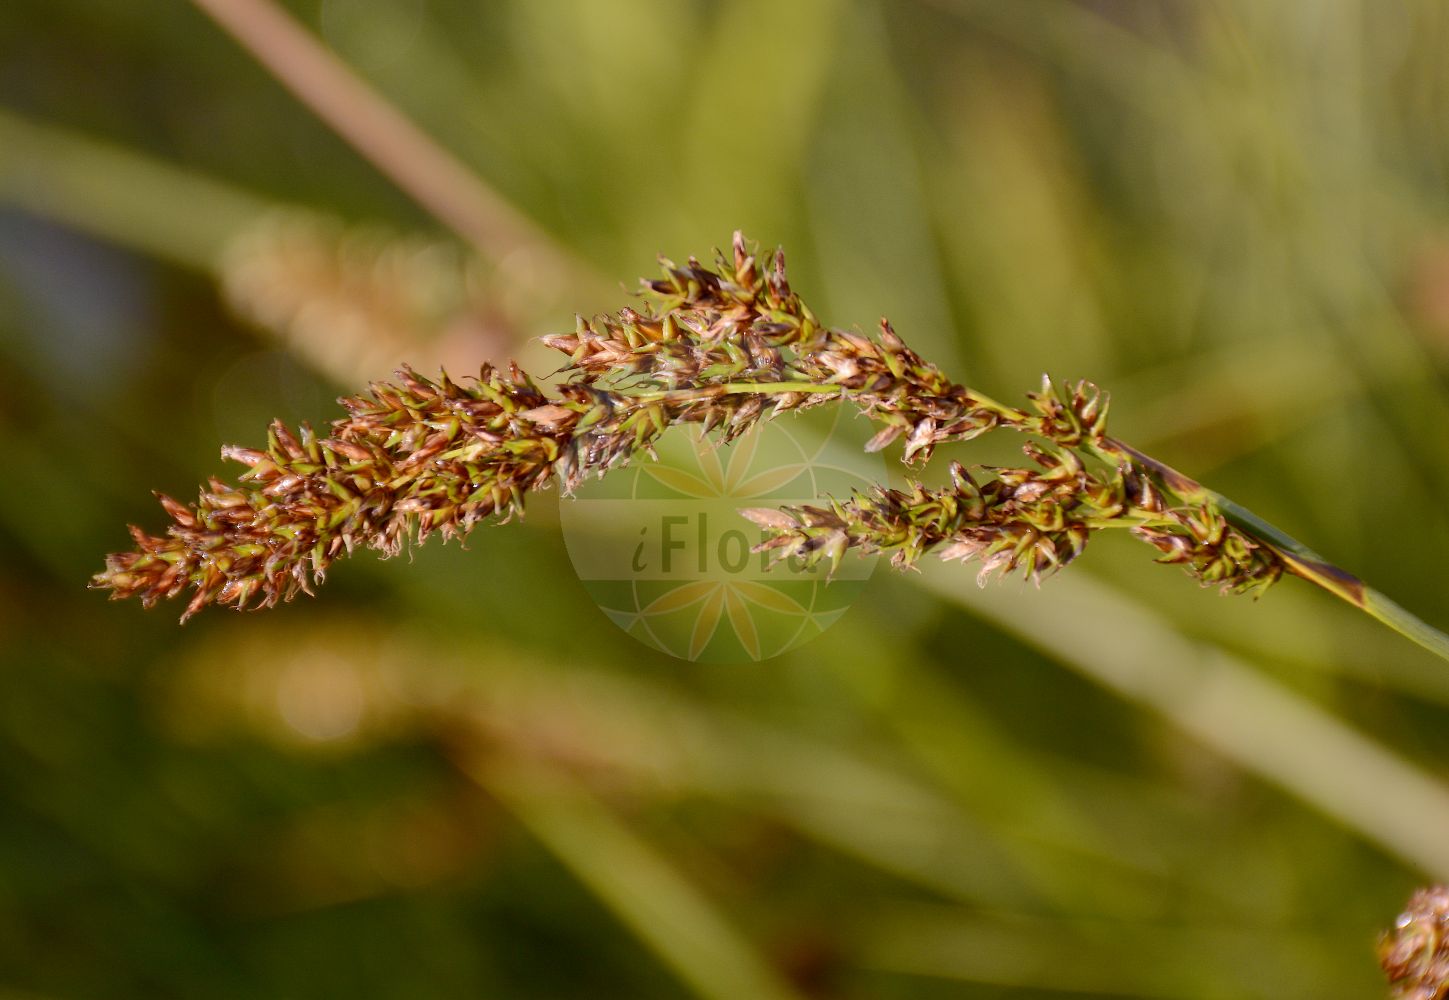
459	779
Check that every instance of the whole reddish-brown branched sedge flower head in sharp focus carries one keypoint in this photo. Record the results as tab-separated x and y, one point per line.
721	349
